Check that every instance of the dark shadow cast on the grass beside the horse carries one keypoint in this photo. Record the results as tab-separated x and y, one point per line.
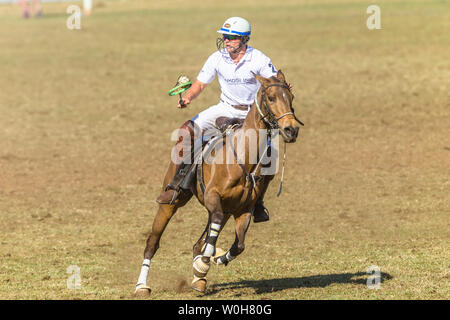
317	281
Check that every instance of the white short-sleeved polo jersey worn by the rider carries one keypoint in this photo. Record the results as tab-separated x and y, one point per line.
237	82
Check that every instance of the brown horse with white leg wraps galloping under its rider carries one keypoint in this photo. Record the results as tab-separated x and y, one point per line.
229	189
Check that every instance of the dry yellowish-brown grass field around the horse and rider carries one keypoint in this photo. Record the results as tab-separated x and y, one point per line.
85	124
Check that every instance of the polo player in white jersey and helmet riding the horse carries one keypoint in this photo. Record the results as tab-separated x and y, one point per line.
235	64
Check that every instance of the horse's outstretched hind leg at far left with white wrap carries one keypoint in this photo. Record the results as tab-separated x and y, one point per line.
165	213
